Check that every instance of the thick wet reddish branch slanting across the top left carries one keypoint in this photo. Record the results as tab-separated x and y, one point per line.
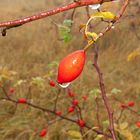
72	5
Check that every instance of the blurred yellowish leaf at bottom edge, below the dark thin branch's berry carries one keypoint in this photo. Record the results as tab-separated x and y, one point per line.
74	134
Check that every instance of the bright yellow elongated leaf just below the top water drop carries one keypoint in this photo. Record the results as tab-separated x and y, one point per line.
108	15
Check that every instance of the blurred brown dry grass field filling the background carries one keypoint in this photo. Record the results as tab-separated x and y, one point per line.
34	50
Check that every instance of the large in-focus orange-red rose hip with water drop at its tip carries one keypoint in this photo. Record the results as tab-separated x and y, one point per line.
71	66
